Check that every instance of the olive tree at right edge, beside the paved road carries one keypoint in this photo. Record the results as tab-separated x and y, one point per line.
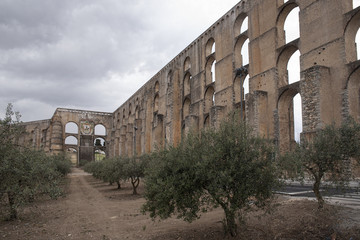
325	154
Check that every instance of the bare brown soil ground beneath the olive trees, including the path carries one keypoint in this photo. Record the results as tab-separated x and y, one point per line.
92	209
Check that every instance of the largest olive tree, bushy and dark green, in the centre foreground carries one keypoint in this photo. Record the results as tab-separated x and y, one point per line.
229	167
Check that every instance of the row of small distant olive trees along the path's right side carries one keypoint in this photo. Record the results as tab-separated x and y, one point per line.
118	169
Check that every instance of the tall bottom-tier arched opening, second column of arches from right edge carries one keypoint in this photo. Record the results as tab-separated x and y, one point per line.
289	110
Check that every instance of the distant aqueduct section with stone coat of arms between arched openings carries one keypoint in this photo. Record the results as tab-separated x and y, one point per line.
77	131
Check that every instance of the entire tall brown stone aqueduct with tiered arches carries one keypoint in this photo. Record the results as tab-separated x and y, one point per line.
208	79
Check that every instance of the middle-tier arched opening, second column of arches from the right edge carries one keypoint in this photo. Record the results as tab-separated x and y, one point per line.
285	69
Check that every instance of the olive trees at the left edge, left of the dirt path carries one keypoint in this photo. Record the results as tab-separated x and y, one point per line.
26	173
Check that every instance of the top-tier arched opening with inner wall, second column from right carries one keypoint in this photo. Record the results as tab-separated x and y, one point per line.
288	24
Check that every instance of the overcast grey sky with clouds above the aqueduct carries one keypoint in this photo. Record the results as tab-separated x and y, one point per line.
91	54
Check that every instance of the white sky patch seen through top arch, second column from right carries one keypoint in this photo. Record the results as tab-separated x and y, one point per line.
292	25
